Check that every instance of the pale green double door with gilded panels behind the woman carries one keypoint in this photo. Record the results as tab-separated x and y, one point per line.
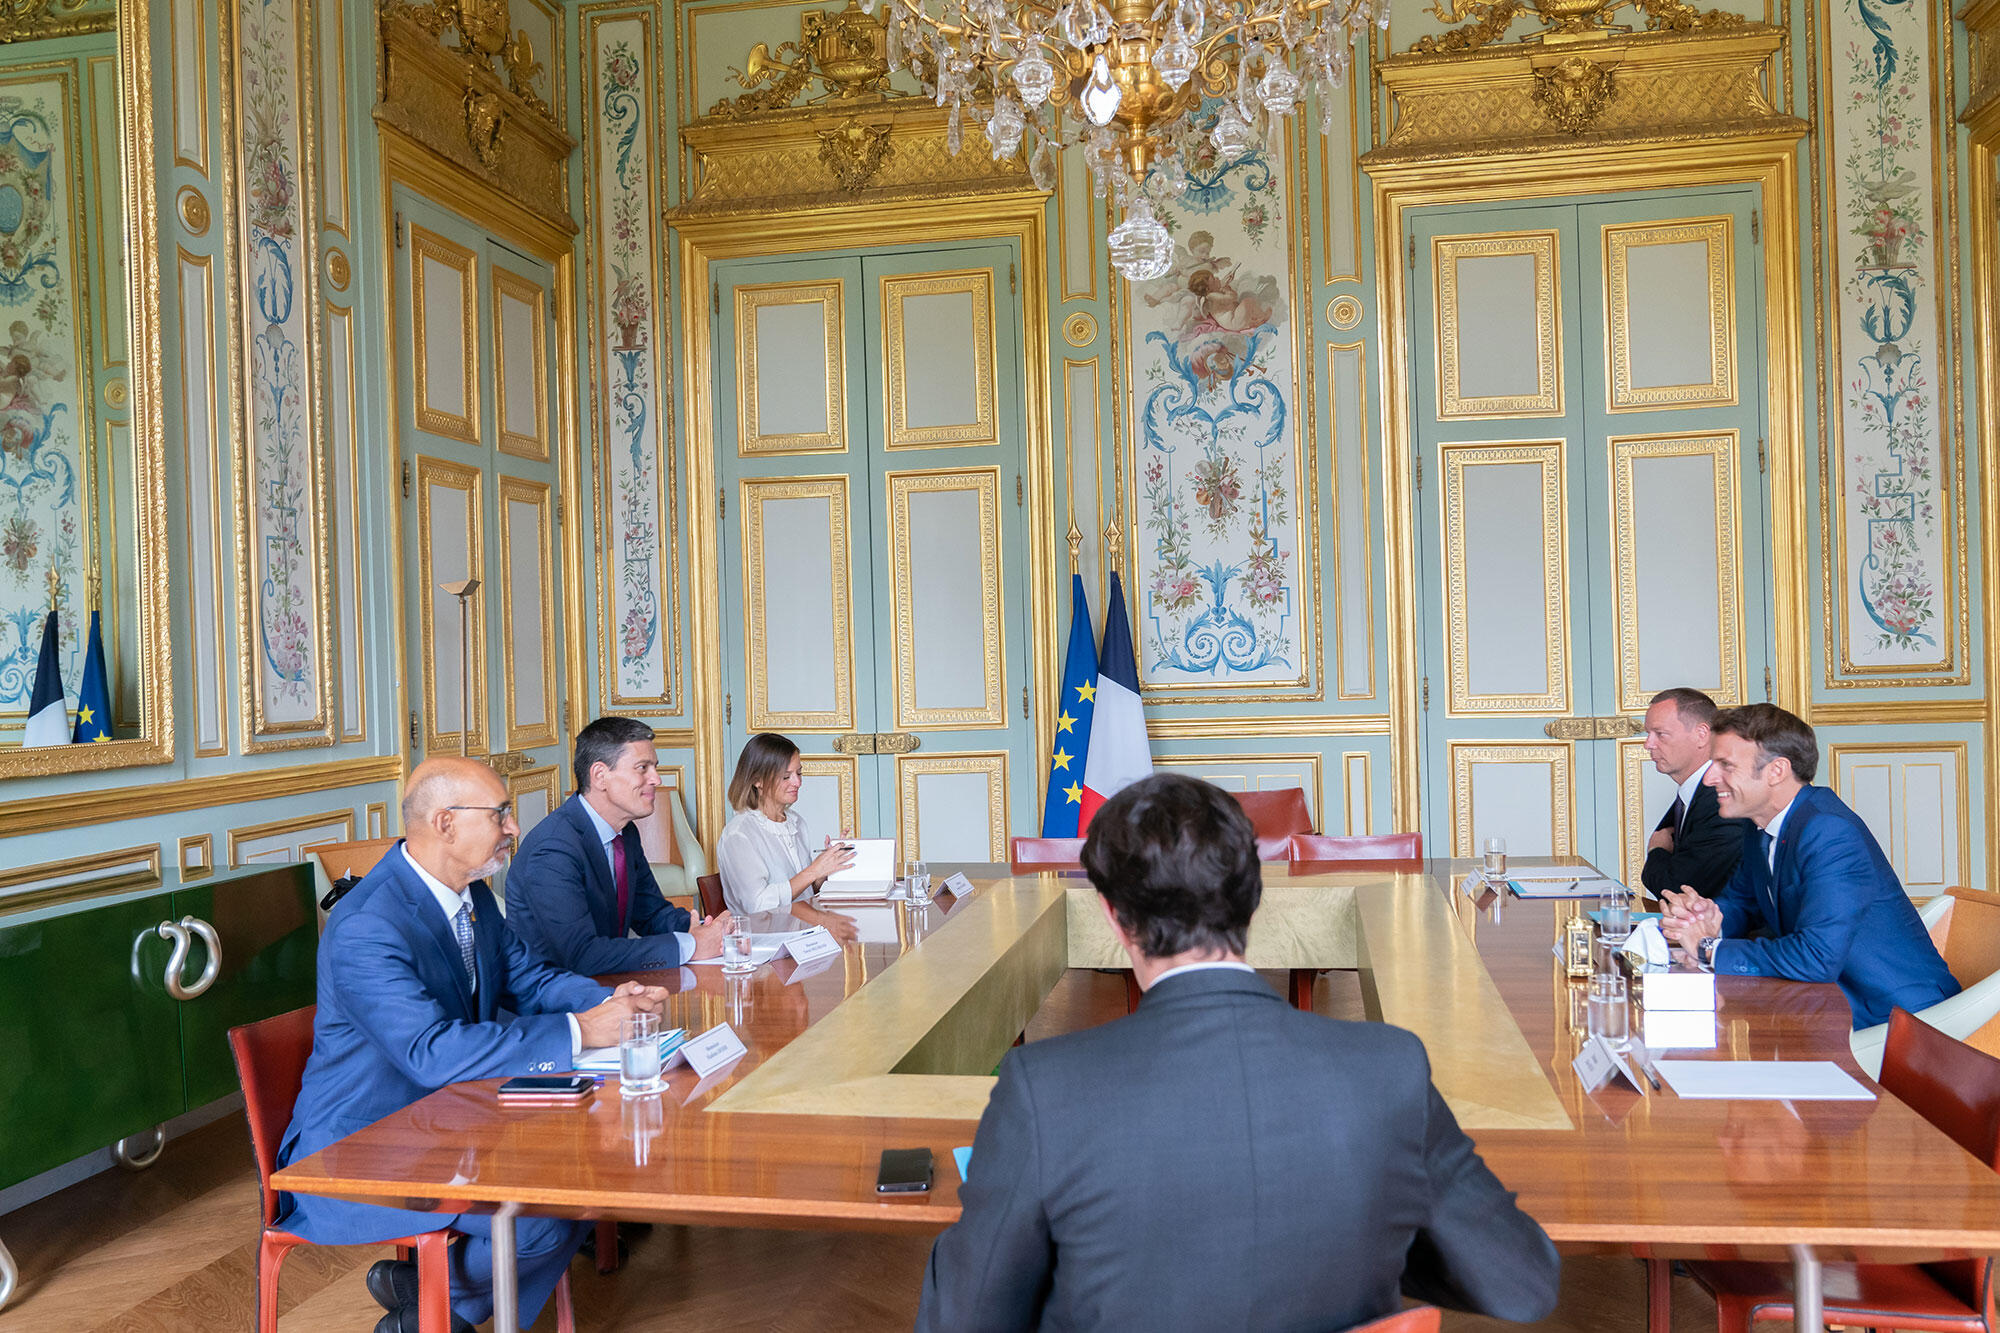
875	595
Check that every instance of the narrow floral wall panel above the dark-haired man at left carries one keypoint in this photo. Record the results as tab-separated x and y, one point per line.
637	627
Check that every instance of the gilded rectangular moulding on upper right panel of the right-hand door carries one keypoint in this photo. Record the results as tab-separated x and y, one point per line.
1621	309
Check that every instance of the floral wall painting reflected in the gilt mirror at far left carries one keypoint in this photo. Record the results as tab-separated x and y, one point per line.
45	487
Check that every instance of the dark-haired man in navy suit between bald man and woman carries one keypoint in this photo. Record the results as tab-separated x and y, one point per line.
581	890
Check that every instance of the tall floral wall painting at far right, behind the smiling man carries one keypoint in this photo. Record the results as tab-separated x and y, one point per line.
1895	505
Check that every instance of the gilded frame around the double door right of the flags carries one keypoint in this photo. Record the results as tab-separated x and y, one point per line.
1767	161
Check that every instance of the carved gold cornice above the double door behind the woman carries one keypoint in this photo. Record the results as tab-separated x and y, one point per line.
837	155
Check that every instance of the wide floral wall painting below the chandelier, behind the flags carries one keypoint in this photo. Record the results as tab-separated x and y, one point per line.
1217	569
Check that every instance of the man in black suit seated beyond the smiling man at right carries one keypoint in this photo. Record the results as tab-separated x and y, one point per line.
1693	848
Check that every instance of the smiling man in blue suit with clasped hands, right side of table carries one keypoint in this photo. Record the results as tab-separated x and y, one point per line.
1813	898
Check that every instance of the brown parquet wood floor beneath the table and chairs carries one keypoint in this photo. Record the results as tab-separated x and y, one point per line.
173	1250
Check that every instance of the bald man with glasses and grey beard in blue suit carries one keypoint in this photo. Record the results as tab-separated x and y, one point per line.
417	970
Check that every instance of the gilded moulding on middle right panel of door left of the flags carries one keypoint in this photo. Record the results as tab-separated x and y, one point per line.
985	485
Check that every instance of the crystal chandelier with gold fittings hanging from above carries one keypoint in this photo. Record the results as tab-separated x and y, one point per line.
1125	85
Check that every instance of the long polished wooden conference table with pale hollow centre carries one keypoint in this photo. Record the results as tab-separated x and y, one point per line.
893	1046
